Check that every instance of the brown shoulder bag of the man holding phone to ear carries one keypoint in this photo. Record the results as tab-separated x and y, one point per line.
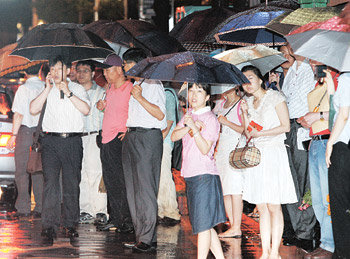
34	165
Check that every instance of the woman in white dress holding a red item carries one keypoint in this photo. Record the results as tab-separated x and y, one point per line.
269	184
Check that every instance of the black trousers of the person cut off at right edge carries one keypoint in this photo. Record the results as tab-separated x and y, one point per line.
339	194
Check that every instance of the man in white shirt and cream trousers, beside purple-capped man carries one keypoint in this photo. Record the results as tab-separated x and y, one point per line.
93	204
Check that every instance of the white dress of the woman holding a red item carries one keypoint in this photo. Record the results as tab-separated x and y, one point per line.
271	181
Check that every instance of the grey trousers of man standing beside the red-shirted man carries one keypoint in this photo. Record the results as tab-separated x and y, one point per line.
142	156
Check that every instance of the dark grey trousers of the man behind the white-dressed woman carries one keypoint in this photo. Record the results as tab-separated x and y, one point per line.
303	221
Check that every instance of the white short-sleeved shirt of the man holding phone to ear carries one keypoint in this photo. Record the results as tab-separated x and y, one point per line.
60	114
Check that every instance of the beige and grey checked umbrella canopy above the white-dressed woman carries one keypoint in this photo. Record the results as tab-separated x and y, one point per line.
260	56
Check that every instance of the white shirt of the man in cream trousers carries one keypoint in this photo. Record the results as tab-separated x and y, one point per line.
93	121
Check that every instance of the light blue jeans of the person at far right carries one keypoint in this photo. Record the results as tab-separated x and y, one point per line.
319	191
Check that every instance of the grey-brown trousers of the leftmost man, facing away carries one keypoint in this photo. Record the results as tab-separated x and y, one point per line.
23	203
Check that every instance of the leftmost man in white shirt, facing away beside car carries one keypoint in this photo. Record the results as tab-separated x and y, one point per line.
24	126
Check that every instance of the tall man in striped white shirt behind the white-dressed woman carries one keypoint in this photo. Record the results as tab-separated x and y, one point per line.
299	81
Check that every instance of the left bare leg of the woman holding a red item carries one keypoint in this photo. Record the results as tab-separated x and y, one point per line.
265	229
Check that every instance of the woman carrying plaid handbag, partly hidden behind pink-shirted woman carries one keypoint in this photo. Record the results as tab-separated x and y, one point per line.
228	110
